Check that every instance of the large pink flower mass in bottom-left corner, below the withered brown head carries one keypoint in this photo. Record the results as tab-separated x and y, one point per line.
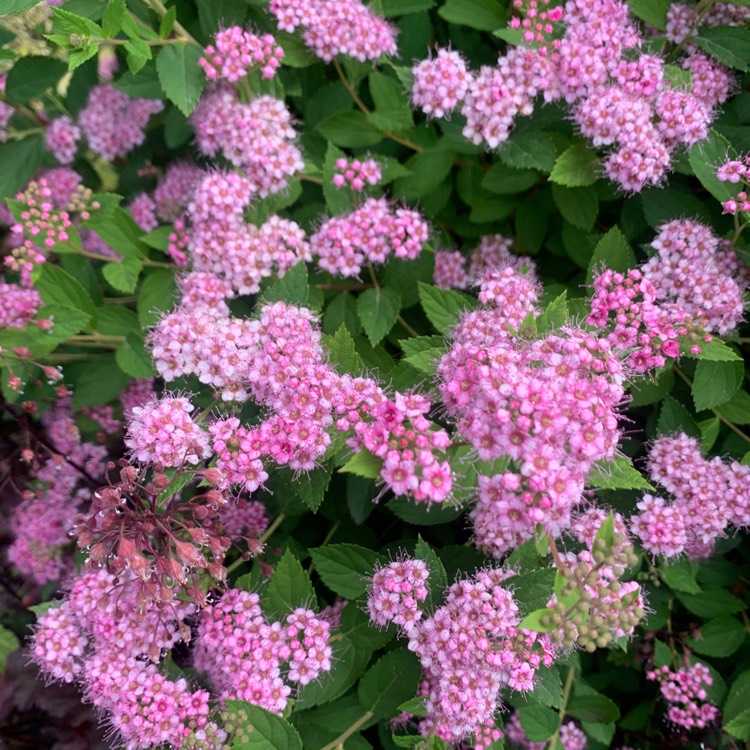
98	636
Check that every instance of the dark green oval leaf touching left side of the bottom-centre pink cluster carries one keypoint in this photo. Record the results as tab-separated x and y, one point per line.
389	682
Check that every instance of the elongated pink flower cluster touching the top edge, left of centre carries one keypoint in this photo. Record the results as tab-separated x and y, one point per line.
337	27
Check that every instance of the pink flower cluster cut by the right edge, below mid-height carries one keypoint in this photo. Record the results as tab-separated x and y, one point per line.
708	496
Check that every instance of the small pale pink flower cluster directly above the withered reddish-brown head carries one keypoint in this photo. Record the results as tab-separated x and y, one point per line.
163	432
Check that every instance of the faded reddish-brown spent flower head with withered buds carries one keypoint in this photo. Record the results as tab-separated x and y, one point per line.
137	525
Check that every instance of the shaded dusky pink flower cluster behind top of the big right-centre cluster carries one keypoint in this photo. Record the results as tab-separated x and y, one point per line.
453	270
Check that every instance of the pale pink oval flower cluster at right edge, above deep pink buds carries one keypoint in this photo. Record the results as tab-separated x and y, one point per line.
699	273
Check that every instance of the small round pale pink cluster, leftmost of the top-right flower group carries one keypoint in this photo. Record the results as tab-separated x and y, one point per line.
440	83
